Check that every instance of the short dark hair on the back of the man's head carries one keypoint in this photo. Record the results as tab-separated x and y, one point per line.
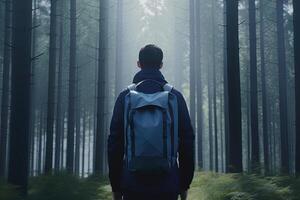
151	56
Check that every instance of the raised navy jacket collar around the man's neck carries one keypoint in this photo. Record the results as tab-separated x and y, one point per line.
149	73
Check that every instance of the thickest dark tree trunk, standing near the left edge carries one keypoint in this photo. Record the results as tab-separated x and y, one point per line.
20	94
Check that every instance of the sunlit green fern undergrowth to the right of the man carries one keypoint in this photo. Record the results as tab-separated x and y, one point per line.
212	186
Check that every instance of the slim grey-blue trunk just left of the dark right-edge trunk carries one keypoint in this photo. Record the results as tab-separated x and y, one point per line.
285	164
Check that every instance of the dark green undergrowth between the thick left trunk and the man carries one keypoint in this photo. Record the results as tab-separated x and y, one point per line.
65	186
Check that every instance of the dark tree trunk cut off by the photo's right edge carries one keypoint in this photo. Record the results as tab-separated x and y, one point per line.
296	4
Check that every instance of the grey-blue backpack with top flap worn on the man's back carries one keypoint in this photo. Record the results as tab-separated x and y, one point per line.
151	130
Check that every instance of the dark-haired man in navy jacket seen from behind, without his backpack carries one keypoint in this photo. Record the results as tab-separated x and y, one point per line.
125	183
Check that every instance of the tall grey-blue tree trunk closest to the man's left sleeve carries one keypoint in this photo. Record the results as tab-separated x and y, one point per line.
99	149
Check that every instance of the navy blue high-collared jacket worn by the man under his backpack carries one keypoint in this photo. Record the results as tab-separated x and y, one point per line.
180	177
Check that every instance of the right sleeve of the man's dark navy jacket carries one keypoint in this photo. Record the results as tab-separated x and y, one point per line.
186	145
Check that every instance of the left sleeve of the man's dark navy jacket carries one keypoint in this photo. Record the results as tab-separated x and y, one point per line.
115	148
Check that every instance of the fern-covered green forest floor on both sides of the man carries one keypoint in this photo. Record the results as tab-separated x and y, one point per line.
206	186
